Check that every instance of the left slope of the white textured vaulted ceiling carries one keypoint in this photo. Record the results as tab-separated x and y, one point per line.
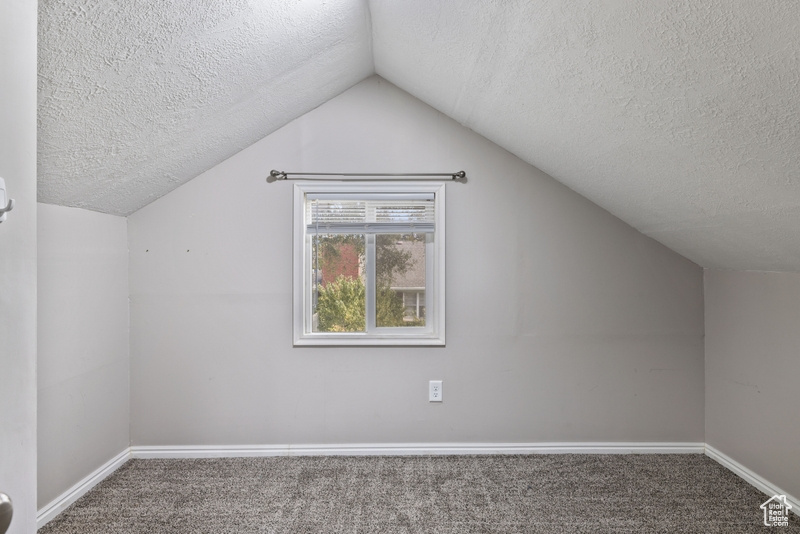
138	97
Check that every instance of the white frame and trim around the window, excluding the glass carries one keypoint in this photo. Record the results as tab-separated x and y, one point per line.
432	334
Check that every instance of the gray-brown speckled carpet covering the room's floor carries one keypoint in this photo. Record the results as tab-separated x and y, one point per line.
440	494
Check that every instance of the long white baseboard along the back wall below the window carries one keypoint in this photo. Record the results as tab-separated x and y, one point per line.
412	449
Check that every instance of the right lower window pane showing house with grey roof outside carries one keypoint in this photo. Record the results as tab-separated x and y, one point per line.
400	280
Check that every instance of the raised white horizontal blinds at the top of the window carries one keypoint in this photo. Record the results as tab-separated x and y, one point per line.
386	213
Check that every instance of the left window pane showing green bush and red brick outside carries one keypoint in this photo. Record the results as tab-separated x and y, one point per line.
337	276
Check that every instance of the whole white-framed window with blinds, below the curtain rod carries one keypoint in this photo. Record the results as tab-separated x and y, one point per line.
369	264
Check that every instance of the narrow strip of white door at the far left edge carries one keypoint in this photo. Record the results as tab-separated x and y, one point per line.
18	261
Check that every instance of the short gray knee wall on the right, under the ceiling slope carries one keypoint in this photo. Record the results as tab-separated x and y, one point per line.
752	365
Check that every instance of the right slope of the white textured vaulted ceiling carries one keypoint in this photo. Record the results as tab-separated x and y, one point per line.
680	117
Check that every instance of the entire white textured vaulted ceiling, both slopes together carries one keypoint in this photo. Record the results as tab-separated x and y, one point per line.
680	117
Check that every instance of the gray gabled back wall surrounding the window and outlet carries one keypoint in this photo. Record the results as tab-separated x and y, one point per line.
563	323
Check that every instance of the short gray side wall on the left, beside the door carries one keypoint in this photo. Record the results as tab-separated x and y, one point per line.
83	418
